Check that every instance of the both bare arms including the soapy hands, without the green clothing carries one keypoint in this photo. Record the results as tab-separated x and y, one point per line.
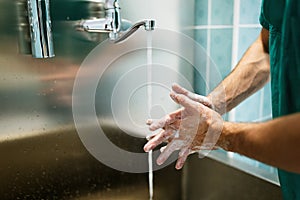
275	142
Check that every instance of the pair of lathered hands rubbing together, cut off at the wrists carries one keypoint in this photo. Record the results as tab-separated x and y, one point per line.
193	127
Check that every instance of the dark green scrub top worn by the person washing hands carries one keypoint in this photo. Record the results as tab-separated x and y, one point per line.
282	19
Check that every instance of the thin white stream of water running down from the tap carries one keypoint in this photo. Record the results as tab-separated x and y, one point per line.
149	95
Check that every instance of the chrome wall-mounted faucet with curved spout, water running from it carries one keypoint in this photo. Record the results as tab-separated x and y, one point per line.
112	24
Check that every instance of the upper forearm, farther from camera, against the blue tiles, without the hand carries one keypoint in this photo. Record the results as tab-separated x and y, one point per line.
250	74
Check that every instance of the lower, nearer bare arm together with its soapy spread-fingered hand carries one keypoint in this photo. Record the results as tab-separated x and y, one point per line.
275	142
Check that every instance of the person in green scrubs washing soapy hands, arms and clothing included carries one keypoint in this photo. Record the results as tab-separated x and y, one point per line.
199	125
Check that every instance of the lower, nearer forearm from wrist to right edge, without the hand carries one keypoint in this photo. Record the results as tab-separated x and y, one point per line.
276	142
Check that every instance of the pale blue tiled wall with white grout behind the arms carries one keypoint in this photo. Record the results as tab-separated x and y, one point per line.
225	29
